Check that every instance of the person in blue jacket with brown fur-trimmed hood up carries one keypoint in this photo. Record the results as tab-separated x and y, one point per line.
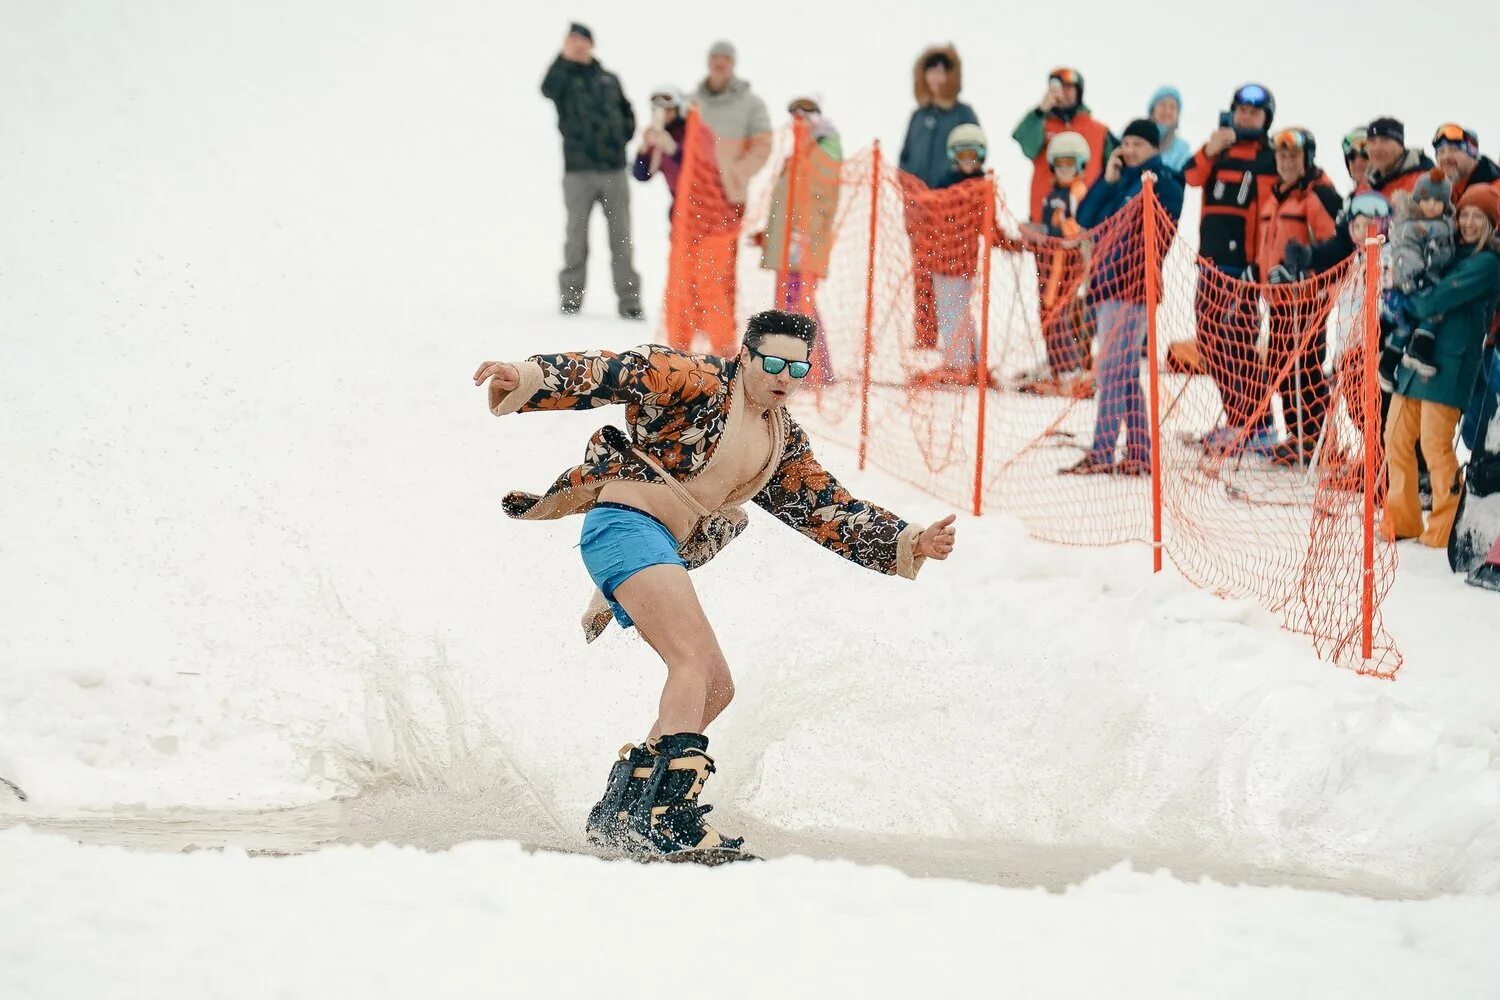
937	85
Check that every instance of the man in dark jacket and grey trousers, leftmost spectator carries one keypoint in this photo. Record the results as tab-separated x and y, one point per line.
596	122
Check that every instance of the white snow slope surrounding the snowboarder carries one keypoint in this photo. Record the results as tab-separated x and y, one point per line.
251	555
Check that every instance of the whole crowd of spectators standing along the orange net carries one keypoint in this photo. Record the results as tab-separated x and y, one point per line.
1271	218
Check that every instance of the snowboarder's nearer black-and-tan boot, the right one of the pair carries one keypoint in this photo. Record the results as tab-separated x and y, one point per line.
667	818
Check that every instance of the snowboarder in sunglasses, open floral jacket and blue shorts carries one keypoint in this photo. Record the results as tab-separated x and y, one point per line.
707	434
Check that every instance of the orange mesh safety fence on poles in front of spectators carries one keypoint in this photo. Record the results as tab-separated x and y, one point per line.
977	361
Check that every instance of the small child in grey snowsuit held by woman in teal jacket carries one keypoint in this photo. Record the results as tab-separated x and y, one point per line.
1421	250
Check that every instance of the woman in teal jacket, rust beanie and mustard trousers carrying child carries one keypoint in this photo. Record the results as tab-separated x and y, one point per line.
1427	409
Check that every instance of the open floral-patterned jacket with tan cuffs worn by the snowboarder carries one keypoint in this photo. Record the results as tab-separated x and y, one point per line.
679	407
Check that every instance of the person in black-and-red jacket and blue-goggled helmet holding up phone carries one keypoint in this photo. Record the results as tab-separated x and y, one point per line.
1237	170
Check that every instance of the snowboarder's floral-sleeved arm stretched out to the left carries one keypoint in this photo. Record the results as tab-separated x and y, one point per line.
563	382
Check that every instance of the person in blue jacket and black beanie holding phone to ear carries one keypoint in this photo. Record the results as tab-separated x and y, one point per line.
1120	283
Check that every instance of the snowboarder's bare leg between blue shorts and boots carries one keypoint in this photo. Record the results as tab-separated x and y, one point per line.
664	605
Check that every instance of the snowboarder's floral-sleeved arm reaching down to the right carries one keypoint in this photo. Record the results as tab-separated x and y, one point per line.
806	497
